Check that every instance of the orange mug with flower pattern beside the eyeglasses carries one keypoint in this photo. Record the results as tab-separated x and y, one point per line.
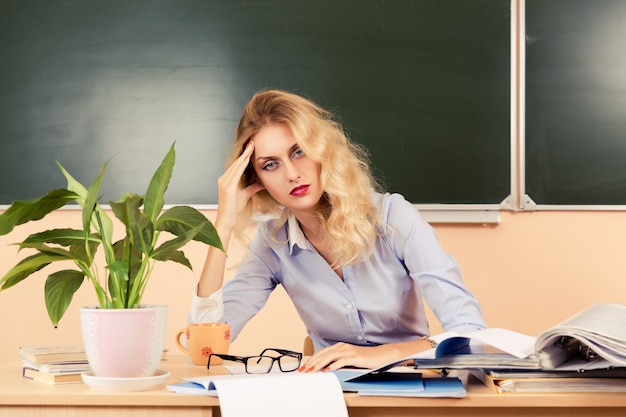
203	339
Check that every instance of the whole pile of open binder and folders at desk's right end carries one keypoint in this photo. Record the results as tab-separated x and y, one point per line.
585	353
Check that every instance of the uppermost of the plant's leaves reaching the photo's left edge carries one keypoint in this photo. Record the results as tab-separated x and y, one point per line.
23	211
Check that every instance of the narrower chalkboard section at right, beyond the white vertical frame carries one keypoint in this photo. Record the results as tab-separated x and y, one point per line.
576	102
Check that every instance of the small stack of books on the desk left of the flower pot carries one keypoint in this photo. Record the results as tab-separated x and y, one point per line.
53	364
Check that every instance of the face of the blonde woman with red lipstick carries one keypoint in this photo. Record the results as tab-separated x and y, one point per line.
292	178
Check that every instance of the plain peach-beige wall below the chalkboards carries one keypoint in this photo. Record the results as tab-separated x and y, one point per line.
529	272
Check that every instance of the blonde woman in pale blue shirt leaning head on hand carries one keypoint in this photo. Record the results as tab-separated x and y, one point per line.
357	264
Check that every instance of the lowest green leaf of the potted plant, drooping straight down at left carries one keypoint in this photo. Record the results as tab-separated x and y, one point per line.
59	291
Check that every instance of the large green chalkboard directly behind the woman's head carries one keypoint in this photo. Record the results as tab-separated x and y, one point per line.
424	85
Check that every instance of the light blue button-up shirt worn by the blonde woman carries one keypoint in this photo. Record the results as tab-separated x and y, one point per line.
380	300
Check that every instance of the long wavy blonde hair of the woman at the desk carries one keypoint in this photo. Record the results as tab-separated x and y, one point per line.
351	219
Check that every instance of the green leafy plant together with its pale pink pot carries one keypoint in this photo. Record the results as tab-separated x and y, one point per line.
112	349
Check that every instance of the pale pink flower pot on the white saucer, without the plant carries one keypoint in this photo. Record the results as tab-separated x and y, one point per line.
124	343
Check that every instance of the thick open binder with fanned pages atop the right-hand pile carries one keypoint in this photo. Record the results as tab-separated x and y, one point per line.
594	338
